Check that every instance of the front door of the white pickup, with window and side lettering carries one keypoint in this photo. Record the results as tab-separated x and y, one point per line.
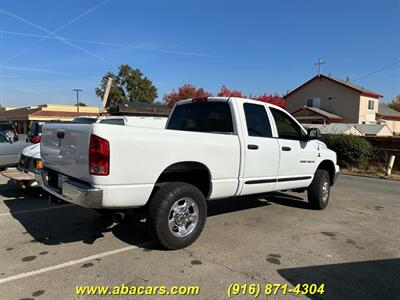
298	155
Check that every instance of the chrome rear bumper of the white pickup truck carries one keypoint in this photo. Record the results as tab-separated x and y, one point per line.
73	192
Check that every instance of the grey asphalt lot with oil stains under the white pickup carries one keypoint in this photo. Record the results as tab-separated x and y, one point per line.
353	246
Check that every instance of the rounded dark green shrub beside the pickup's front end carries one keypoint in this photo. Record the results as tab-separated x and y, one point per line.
352	151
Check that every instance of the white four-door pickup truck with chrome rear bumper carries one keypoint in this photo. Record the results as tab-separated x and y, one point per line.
210	148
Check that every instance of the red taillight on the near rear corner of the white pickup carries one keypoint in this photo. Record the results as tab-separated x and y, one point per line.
99	156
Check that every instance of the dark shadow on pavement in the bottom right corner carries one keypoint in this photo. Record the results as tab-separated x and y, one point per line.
378	279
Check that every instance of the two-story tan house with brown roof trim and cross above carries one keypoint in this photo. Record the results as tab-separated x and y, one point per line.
324	99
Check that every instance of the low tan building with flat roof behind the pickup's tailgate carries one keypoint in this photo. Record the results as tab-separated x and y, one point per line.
22	117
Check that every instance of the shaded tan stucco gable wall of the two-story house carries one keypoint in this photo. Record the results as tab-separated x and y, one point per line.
335	98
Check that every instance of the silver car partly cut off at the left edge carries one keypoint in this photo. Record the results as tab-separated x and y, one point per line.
10	151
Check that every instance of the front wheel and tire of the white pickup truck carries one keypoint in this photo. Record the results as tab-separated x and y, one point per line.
319	190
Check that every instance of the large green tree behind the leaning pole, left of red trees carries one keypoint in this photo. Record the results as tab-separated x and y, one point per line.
130	85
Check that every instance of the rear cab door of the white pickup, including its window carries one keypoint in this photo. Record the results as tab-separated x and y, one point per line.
261	150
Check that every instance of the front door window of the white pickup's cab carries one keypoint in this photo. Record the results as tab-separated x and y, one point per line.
286	126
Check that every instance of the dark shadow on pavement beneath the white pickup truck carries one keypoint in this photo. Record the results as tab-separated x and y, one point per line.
68	223
